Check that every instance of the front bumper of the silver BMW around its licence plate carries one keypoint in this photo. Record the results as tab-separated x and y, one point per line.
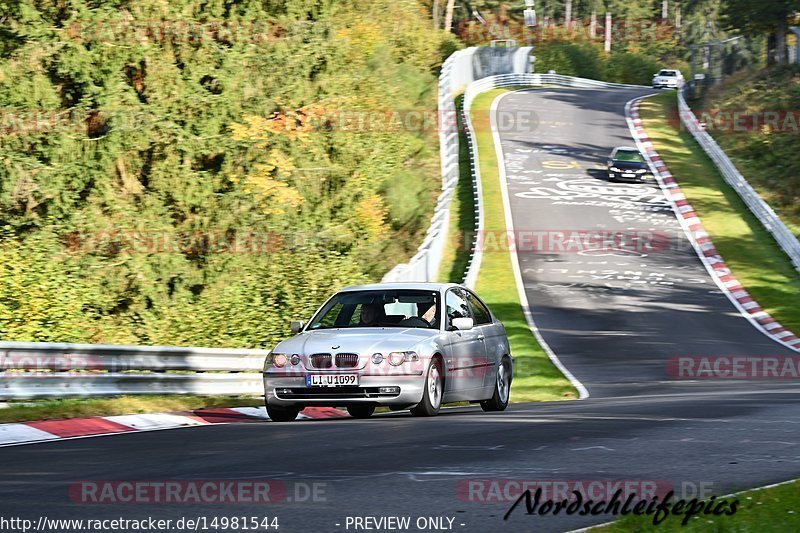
282	390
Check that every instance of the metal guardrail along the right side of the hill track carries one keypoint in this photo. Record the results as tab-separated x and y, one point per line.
762	211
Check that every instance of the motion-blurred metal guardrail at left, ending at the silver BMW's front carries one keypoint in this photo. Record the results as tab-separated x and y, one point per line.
52	370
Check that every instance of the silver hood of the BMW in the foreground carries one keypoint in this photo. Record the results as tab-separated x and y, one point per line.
364	341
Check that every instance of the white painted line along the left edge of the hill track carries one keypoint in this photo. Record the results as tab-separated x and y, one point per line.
583	393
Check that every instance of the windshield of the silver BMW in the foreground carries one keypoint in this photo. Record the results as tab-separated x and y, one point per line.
380	309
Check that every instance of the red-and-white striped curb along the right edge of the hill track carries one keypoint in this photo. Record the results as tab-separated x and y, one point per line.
701	241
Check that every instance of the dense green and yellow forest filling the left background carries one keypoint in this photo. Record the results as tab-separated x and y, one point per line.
193	173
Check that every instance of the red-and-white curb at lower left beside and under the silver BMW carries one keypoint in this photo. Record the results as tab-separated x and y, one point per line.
15	434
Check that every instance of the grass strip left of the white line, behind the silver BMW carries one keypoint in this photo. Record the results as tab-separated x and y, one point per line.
536	378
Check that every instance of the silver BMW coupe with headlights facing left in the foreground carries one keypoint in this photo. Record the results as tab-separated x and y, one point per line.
402	345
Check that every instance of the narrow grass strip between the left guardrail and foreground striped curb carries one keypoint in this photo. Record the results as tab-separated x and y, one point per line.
121	405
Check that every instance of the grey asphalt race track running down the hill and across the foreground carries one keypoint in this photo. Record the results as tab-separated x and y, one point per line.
615	320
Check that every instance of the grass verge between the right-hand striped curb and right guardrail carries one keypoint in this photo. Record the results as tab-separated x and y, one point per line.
749	250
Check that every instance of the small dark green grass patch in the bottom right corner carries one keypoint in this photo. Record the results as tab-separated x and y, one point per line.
772	509
